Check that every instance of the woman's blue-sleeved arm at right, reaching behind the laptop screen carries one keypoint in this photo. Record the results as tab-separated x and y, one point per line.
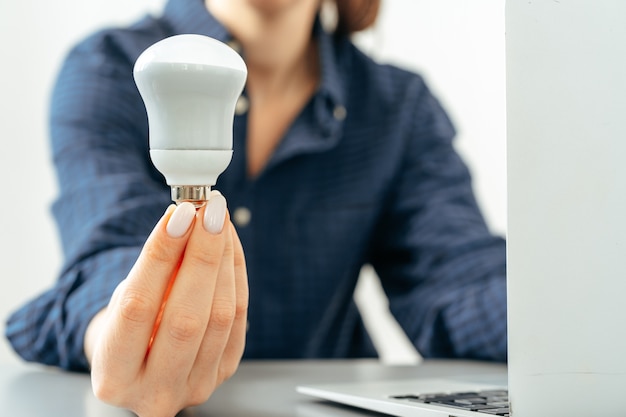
443	270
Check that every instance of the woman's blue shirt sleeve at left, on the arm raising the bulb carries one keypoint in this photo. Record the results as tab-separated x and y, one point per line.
110	198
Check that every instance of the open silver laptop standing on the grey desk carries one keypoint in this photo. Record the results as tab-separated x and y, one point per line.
566	232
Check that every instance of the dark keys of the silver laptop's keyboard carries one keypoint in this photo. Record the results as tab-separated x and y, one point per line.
492	402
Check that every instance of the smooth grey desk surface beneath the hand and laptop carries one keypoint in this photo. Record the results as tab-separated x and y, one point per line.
258	389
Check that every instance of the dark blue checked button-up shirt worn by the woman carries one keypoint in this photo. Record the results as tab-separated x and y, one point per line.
367	173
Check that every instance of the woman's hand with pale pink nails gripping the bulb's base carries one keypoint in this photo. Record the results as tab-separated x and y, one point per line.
175	328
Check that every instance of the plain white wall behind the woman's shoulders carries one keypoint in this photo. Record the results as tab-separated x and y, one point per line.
458	45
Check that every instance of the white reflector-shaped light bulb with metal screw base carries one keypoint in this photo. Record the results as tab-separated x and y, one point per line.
190	85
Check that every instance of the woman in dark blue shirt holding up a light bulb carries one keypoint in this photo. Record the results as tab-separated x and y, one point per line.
338	162
